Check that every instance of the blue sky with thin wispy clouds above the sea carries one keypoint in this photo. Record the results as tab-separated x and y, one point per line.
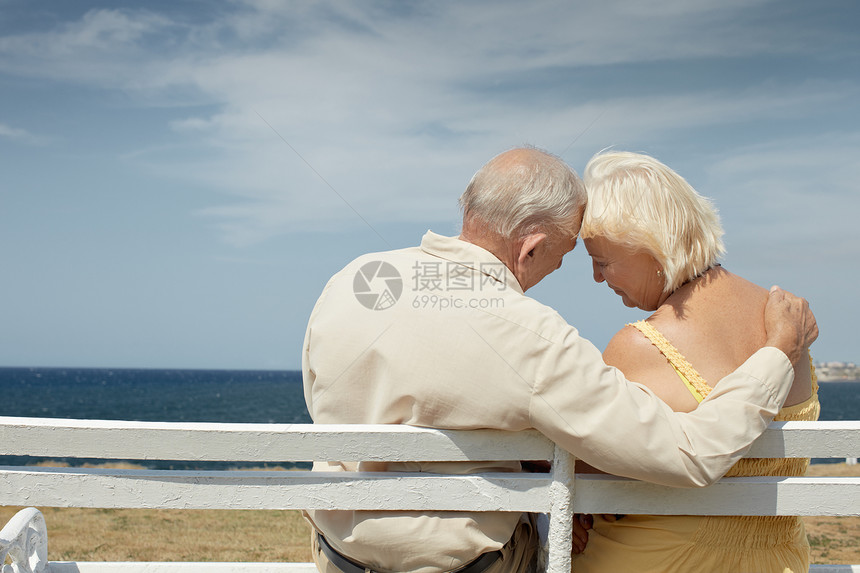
179	179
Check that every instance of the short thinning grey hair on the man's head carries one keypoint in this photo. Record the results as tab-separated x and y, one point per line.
525	190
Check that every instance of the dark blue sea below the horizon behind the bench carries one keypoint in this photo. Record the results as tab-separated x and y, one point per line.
242	396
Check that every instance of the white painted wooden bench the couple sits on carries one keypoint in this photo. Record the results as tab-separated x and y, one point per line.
559	493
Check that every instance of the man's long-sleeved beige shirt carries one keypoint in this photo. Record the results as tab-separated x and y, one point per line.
452	342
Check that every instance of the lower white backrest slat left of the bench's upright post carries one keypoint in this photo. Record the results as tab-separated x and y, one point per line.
105	488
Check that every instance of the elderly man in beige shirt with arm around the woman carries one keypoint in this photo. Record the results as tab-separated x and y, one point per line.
442	335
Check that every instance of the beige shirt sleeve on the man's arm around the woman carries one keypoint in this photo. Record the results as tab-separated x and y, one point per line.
623	428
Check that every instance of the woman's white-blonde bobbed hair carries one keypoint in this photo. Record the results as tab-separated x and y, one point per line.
639	202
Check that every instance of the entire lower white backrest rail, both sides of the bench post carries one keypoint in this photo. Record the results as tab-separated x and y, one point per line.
62	487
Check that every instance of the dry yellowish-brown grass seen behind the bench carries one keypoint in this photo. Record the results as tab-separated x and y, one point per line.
192	535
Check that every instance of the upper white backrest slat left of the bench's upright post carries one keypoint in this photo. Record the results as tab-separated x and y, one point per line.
112	439
